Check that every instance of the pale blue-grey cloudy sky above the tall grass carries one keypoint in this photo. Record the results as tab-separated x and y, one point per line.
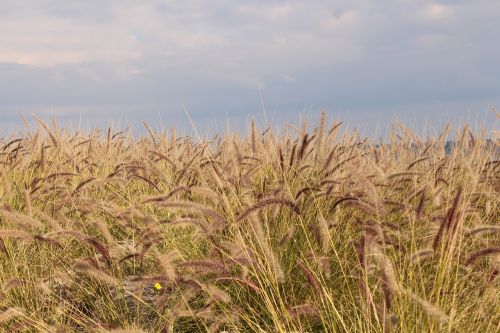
221	62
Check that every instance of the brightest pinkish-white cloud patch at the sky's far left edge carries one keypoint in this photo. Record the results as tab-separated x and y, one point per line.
43	41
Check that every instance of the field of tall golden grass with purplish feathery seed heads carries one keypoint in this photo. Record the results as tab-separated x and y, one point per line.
304	229
